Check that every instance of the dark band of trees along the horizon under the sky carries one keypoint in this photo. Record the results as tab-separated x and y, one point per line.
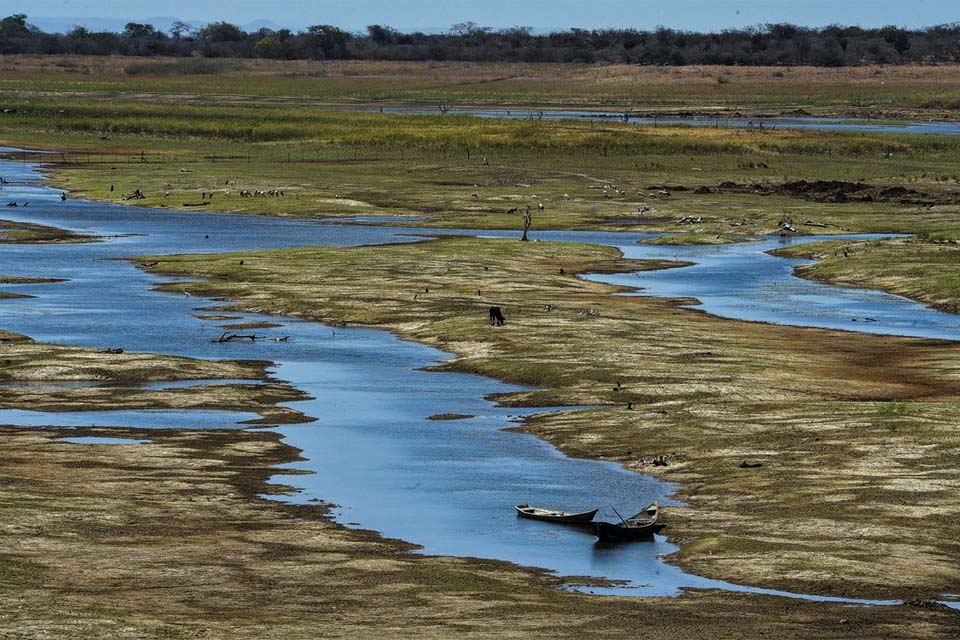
771	44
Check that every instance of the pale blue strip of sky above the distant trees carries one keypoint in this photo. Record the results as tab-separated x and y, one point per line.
438	15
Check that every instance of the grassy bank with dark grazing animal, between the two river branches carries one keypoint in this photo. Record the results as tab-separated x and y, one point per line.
860	423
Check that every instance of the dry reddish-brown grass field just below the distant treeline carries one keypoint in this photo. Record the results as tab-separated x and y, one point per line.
888	91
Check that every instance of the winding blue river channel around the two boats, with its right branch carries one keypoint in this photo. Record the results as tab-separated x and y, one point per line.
449	487
